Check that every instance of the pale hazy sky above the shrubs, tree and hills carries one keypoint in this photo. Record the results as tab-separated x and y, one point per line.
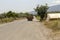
24	5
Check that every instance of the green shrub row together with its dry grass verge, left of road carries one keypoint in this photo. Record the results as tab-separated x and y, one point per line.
11	16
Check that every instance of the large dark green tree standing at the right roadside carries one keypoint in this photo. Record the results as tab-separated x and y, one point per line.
42	11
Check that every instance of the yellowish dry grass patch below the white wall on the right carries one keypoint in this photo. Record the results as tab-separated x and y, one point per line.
53	24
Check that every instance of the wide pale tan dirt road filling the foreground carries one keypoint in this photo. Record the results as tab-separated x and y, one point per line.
24	30
